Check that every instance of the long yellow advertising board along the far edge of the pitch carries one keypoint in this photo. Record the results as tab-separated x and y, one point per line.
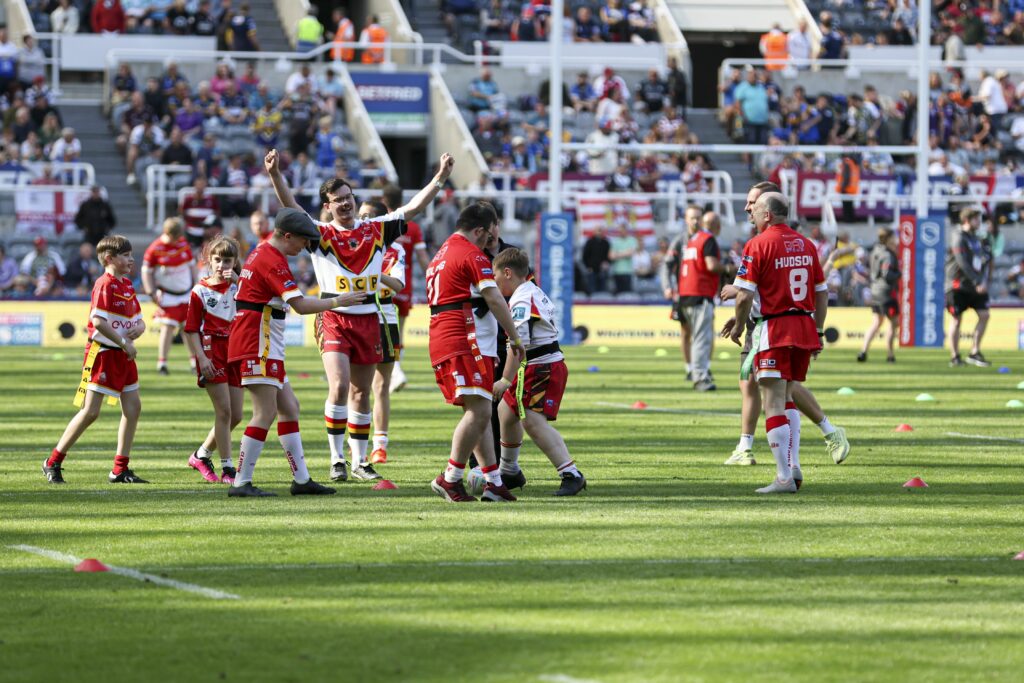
63	324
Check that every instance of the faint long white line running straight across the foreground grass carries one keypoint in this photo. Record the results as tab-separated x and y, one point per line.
696	562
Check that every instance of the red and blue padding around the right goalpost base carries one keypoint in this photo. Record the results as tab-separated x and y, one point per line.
922	298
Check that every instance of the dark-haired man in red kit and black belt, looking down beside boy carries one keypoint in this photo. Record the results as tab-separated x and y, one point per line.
465	312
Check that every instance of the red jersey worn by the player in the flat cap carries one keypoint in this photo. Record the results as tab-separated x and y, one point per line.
266	284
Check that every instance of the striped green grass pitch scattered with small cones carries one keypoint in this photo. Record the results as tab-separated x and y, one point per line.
669	568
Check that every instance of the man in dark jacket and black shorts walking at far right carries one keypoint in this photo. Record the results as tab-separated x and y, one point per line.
967	285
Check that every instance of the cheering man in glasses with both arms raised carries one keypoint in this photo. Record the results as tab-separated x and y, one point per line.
348	260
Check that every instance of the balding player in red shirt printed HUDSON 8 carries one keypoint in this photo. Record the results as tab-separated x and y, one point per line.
781	270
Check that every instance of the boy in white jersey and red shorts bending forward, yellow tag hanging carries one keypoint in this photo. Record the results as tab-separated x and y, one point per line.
532	396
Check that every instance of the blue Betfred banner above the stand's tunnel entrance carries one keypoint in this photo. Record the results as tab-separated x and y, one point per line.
397	103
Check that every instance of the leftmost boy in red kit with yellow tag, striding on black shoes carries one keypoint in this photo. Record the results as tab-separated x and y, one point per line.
109	372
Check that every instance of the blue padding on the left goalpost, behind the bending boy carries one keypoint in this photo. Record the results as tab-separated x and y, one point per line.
556	272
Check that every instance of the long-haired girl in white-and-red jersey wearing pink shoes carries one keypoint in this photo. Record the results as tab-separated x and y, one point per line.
211	311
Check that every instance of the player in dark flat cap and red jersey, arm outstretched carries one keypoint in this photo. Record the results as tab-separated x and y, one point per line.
257	350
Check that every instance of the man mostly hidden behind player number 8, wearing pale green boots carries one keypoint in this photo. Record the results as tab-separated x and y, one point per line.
836	442
